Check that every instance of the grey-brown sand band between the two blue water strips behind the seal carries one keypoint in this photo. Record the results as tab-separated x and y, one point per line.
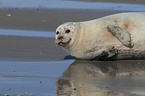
46	19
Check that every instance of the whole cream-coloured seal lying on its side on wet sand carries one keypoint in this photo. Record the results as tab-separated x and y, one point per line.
118	36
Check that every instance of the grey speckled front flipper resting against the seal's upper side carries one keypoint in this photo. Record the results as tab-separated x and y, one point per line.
121	34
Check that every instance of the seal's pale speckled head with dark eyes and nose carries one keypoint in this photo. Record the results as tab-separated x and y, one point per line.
66	34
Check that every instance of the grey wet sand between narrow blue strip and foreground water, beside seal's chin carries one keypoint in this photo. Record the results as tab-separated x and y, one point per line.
15	48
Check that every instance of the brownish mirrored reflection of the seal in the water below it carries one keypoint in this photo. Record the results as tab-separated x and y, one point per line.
84	78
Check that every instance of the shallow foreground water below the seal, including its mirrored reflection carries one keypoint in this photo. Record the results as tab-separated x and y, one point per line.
73	78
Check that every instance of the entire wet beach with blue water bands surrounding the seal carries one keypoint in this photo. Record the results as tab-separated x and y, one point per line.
31	64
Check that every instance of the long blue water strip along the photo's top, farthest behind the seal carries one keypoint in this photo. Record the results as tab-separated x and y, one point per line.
63	4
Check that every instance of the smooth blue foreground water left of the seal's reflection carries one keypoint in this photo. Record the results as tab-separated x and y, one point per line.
26	78
